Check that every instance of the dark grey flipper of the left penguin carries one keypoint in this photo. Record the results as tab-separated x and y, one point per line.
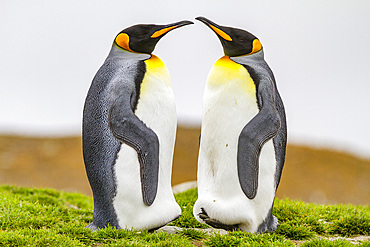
129	129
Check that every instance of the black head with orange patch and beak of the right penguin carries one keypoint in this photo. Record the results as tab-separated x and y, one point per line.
236	42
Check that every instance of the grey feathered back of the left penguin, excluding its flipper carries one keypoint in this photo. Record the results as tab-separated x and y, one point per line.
116	77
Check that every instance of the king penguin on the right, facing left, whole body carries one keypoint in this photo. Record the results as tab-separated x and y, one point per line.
243	137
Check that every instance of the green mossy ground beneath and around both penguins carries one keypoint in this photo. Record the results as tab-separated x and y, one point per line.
46	217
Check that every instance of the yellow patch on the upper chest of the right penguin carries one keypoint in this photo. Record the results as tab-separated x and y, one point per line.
226	72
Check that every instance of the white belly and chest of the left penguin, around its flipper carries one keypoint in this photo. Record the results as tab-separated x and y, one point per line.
156	108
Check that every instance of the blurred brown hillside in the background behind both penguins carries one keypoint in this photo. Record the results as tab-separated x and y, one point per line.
311	175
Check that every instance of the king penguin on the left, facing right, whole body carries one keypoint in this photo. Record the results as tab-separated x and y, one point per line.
128	133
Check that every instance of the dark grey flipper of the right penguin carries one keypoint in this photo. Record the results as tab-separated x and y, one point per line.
254	135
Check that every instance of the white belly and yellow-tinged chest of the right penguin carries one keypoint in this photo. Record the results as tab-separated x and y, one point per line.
227	107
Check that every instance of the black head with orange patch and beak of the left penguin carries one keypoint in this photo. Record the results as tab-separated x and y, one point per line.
142	38
